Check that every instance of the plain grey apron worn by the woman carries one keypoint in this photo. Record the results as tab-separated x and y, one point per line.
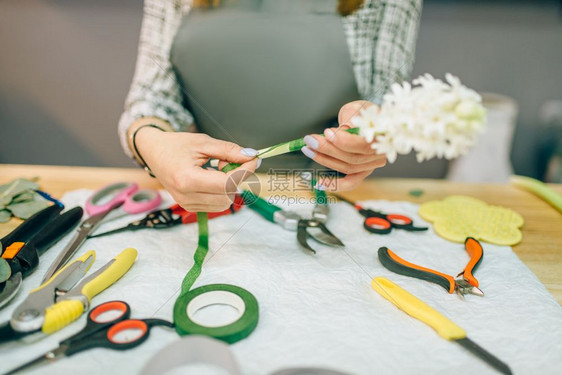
261	72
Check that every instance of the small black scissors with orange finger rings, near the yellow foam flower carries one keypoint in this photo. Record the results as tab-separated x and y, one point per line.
379	223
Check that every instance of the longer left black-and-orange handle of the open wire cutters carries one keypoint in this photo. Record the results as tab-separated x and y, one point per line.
396	264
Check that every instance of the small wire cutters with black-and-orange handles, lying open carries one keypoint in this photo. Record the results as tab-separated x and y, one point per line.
465	285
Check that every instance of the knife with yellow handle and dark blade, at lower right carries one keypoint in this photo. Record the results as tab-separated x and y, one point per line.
418	309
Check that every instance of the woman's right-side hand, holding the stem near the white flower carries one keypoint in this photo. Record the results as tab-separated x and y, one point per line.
343	152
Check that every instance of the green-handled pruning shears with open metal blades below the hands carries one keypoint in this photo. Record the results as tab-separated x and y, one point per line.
305	228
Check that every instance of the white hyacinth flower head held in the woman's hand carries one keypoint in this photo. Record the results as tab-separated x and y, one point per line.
432	118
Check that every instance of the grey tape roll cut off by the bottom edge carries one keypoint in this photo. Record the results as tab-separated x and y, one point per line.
192	350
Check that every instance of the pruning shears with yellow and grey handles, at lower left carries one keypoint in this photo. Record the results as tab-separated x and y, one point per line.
64	297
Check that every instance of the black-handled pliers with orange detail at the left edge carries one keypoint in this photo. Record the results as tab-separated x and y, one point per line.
22	247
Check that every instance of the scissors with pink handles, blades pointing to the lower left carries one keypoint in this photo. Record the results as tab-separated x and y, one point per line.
120	199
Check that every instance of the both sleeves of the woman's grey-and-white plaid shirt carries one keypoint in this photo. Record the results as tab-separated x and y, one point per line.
381	37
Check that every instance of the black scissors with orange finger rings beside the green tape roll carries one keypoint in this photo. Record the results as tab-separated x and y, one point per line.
109	327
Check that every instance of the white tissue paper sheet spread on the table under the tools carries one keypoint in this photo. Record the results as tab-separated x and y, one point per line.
316	310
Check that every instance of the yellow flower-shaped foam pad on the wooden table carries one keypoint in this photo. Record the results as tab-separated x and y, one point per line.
458	216
